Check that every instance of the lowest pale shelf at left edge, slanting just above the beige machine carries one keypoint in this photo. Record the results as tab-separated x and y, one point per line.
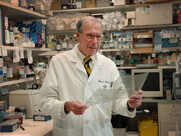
16	81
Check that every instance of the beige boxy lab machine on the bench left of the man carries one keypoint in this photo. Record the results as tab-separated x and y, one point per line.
27	98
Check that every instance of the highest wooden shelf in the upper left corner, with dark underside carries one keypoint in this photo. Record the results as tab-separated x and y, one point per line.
16	12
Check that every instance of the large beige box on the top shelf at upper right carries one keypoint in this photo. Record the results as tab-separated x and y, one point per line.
154	14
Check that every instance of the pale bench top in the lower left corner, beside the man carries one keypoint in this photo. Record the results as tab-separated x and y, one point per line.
32	128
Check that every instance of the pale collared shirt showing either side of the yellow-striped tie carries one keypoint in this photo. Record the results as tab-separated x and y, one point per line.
81	57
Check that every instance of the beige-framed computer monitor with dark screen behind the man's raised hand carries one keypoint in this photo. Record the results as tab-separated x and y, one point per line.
153	85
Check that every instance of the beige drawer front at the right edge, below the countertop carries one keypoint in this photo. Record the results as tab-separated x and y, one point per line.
169	113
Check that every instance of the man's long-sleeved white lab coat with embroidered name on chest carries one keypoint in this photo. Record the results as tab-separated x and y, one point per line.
66	80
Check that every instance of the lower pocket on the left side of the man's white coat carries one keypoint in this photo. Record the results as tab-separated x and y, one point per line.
64	123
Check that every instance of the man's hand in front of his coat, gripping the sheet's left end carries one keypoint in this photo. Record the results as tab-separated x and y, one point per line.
76	107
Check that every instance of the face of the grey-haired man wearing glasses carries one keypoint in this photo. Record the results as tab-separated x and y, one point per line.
89	39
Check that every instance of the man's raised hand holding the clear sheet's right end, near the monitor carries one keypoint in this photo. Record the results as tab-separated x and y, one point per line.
135	99
